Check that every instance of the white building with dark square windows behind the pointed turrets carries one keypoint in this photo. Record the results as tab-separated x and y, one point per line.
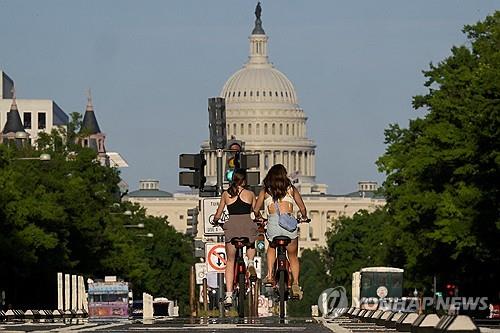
37	115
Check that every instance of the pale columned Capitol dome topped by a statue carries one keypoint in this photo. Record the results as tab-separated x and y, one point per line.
262	110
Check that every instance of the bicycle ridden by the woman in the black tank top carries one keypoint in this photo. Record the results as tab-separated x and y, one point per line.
240	282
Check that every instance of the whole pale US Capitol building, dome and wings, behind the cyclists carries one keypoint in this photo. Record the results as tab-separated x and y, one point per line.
262	110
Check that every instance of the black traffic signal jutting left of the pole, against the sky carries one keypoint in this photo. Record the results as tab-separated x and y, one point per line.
195	162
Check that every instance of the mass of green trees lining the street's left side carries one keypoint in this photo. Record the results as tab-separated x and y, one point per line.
65	215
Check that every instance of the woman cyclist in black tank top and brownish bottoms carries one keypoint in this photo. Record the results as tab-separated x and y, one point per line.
239	202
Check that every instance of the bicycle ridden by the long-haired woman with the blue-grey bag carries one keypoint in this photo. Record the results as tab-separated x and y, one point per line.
282	271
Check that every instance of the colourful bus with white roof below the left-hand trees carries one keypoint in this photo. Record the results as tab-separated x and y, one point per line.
108	299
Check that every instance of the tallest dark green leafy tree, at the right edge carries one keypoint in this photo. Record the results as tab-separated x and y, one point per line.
443	170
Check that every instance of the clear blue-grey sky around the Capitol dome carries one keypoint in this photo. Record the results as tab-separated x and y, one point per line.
152	65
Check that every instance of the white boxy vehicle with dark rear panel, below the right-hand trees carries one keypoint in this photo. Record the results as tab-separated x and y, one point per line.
370	284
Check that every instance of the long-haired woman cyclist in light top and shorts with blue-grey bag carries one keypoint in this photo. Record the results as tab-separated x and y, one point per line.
278	189
